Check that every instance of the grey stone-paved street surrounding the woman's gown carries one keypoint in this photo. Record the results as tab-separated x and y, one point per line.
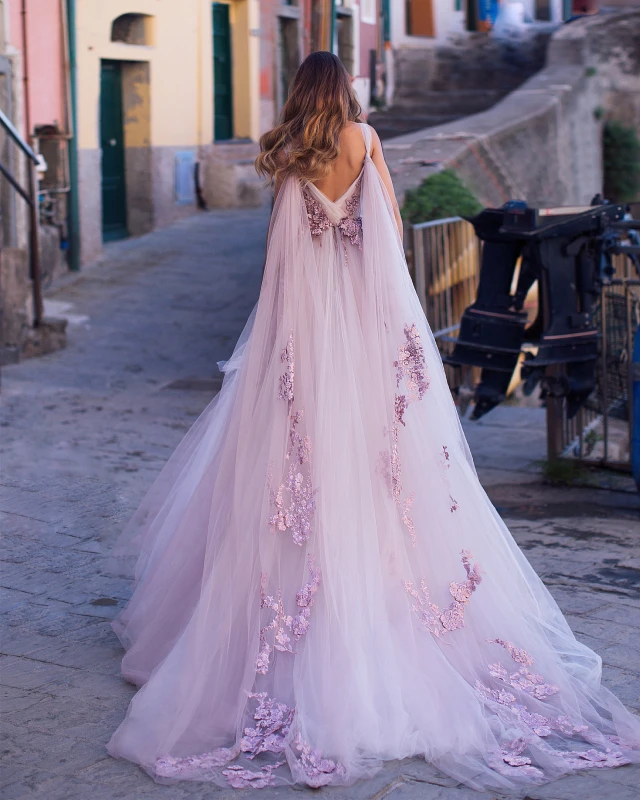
84	431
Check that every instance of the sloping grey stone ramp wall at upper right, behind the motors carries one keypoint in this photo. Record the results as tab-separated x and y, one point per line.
542	143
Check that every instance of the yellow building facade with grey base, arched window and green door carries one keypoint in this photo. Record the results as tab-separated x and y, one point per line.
145	114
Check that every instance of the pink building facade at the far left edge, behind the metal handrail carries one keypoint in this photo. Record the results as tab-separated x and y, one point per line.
34	102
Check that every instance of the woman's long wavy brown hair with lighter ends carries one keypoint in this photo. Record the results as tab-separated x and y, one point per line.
320	104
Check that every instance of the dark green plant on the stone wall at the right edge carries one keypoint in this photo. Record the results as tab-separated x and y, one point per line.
621	162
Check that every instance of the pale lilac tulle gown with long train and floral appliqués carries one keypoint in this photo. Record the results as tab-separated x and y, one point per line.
321	582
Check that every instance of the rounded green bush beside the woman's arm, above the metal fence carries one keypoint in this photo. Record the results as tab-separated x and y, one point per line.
439	196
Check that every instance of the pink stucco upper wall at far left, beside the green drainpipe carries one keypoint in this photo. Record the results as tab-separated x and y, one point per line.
44	41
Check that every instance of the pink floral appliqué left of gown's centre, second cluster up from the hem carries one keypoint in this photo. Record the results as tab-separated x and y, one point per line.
284	624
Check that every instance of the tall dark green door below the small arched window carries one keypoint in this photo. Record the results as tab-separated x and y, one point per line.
114	197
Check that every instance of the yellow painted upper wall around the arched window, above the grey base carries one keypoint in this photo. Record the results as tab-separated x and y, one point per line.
180	58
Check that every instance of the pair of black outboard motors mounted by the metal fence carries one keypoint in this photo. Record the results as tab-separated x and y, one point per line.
568	251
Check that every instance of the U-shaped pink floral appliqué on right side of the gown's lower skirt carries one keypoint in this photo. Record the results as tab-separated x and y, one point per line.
433	618
